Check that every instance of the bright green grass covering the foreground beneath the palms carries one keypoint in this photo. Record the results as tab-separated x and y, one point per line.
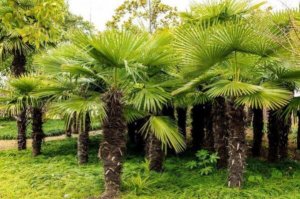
55	174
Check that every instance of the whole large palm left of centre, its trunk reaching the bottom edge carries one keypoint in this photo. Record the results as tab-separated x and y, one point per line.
115	62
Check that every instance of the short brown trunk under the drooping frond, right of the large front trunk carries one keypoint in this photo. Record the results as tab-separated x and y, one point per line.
155	154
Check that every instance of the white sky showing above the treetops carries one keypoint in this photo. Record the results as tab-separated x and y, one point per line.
100	11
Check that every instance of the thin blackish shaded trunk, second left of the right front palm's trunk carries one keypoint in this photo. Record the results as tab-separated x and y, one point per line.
208	134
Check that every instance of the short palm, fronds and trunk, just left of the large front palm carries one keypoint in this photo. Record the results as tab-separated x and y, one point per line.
74	100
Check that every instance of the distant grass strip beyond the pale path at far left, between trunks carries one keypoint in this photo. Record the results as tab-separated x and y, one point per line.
8	129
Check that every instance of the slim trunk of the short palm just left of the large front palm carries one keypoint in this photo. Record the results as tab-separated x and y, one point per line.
83	141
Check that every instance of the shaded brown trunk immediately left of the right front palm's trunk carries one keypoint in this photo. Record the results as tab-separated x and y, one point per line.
220	131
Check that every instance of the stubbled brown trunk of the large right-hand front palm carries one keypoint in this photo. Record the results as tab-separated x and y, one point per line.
237	145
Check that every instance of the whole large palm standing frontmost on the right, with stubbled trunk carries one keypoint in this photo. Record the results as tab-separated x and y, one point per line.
230	47
